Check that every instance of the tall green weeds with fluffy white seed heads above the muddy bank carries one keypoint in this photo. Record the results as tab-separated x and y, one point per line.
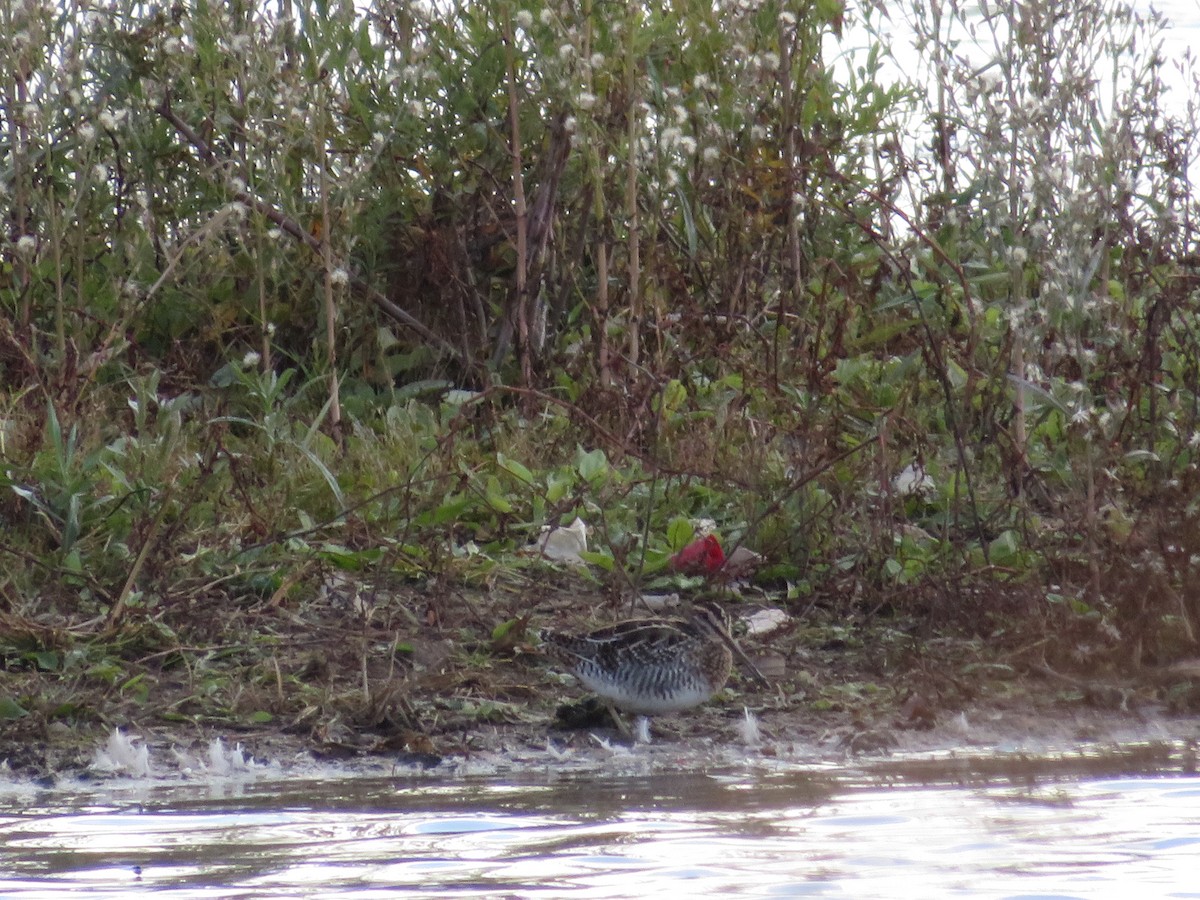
296	287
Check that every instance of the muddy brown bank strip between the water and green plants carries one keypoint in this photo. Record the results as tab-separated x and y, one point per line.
443	679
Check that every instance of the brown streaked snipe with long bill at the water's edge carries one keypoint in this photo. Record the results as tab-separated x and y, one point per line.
657	665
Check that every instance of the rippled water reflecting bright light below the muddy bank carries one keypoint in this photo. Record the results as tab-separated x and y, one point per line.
1000	829
